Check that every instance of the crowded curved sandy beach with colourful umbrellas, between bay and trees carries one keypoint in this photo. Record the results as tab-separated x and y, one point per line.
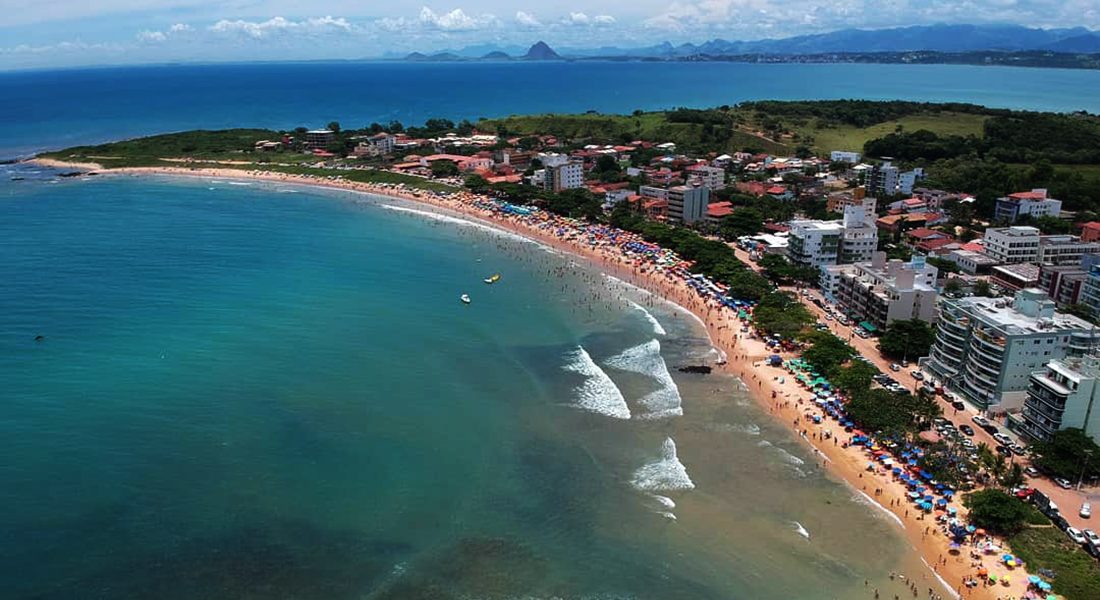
629	257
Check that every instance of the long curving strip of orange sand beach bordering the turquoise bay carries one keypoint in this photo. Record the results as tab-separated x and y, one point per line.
745	358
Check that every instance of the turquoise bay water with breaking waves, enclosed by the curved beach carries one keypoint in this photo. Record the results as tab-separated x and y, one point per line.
260	391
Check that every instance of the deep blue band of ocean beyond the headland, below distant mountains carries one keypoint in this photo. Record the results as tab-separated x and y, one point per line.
53	110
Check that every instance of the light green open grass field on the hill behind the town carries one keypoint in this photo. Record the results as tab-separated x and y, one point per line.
830	138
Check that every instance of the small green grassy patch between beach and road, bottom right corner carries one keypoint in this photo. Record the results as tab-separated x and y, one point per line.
1077	575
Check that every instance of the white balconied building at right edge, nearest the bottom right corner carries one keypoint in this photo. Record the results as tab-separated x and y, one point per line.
1065	394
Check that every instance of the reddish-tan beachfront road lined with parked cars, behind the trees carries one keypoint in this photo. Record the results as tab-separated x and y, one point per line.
1069	501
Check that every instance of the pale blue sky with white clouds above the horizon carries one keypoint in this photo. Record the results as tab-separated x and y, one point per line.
57	34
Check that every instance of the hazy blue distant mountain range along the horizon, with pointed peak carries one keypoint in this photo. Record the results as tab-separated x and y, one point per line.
945	39
